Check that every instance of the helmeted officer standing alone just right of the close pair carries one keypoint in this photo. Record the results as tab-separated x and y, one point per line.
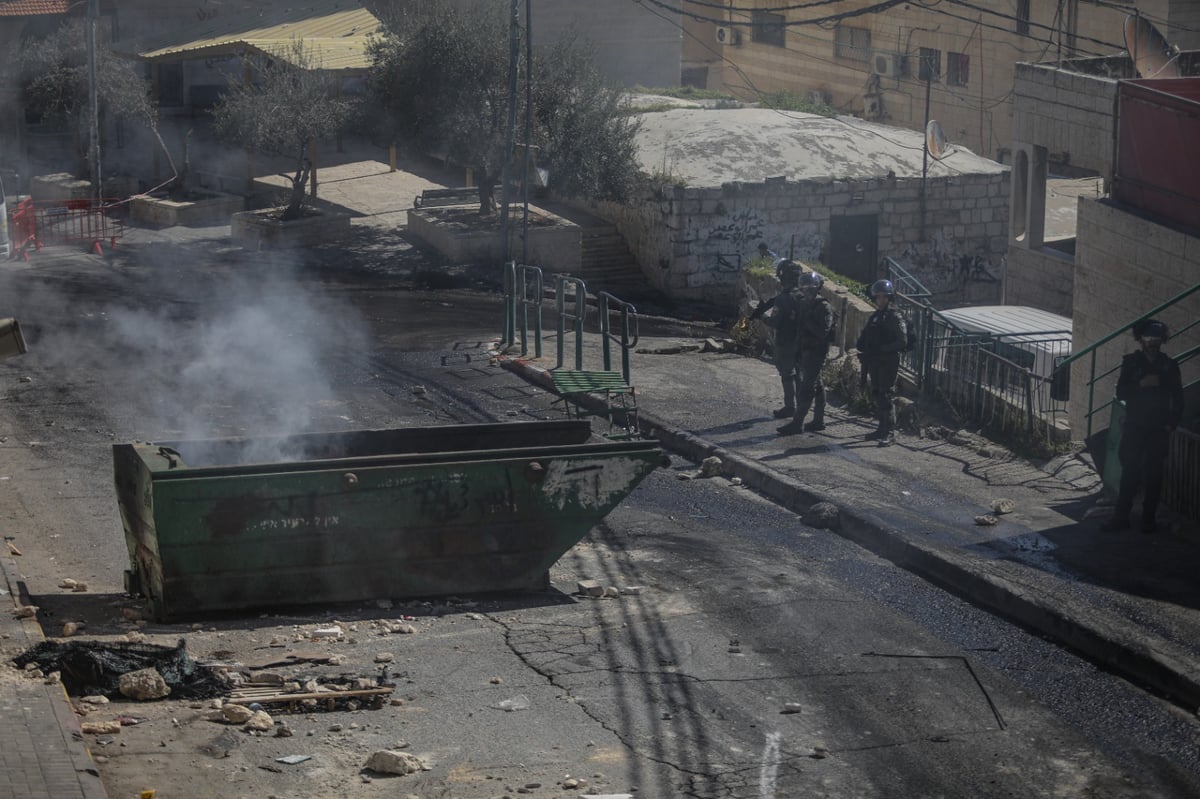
879	351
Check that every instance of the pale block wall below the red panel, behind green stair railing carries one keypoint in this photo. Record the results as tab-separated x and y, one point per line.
1127	266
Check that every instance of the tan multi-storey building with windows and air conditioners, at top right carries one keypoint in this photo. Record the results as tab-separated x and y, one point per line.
875	65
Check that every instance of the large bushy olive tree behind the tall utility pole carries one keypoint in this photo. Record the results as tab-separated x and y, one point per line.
440	82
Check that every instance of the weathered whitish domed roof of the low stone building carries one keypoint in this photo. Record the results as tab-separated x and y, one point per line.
715	147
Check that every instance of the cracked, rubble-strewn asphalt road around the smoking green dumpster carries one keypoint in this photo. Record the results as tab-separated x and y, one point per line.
760	659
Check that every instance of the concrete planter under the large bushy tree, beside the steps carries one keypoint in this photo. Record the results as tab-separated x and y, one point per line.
463	238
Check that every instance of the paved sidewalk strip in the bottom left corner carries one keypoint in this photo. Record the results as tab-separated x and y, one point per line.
43	753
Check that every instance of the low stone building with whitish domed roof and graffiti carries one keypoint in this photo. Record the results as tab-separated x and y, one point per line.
839	191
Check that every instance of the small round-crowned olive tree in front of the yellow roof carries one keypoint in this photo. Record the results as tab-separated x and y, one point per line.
290	105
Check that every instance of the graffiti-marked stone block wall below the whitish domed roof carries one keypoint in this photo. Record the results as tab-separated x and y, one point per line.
693	243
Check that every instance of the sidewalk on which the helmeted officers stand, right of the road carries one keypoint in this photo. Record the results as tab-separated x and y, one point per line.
1129	602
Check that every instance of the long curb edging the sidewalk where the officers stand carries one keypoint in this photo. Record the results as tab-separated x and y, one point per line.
1145	660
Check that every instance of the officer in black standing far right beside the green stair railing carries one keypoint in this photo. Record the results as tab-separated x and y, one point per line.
1153	391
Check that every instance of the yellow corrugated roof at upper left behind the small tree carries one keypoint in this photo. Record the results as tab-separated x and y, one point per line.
334	32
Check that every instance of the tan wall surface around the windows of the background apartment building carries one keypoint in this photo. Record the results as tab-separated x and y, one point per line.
976	113
